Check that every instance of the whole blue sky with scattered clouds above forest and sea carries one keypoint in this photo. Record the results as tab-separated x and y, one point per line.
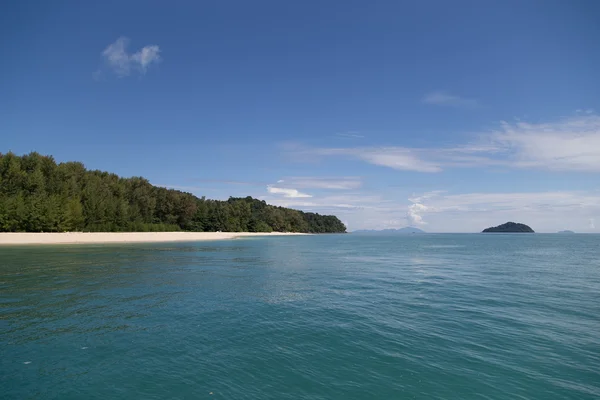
447	116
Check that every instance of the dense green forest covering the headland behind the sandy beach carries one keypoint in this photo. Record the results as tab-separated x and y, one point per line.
39	195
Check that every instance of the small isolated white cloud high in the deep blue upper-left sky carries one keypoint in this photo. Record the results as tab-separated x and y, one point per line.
123	63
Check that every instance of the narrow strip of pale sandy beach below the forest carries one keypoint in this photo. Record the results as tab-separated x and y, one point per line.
34	238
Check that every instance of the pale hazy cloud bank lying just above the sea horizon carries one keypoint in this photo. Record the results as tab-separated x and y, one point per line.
440	211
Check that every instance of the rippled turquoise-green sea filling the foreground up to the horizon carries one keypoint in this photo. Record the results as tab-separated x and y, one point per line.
315	317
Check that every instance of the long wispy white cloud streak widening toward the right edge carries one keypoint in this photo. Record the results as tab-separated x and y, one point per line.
570	144
